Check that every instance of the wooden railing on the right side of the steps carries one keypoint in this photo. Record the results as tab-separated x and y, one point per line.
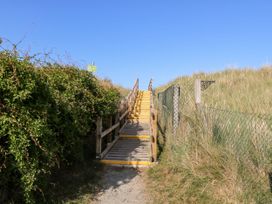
153	124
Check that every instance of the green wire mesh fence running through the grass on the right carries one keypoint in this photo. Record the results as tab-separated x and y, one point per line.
246	138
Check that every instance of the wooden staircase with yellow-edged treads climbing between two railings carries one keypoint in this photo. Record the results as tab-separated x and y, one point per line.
134	144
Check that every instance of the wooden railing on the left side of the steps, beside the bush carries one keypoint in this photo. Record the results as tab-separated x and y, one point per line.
107	129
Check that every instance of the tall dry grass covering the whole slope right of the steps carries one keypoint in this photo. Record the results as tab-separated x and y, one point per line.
220	154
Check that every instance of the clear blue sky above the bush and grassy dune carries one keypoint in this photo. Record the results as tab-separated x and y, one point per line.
144	38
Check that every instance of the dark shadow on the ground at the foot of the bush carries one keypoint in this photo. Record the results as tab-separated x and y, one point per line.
83	183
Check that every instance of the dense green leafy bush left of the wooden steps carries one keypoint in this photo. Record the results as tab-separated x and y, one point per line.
46	114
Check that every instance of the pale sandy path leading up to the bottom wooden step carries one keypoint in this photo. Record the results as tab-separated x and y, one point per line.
122	185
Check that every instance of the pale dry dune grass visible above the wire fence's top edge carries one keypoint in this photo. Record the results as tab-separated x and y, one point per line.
244	90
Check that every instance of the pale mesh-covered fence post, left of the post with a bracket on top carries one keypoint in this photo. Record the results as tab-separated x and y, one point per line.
176	95
